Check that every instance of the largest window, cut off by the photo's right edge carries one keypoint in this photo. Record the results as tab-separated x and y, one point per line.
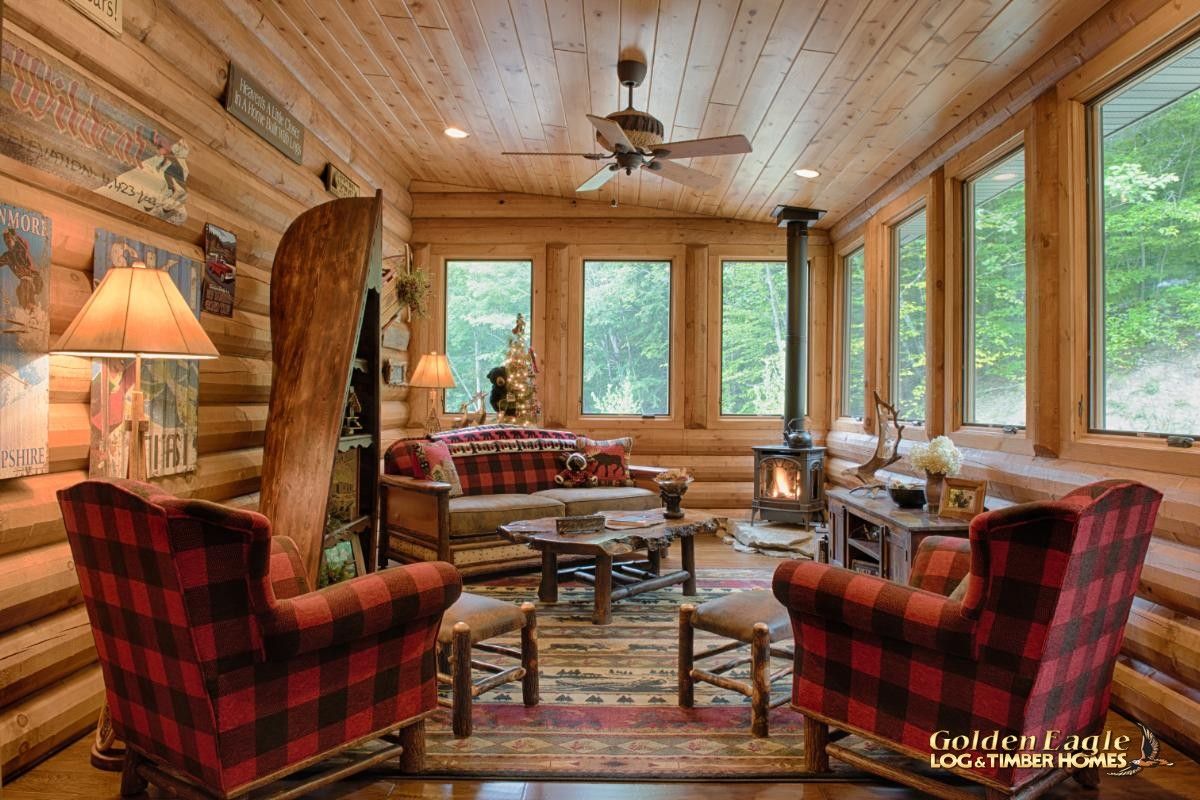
1147	252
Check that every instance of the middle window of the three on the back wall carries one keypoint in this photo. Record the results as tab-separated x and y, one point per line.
627	338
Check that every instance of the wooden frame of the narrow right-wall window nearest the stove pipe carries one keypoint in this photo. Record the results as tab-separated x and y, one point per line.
844	250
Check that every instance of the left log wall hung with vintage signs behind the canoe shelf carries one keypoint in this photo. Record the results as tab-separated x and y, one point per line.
171	64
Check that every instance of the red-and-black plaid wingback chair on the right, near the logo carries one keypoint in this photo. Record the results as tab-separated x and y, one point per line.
1030	648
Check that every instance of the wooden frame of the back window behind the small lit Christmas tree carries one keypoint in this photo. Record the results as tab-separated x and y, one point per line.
436	335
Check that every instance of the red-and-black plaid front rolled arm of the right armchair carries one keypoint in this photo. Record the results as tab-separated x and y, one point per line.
865	603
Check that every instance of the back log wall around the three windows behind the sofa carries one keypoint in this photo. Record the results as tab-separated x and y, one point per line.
556	236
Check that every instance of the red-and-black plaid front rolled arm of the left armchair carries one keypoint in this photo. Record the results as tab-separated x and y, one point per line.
361	607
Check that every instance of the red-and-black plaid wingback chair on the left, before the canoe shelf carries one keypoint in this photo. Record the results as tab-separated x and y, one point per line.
223	670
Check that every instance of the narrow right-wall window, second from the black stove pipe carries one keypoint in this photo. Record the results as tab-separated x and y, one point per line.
909	240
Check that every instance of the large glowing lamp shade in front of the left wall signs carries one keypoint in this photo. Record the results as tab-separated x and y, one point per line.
136	311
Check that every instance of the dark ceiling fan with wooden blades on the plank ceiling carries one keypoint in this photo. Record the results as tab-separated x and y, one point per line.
634	141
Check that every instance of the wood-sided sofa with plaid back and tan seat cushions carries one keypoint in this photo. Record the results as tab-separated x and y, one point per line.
507	473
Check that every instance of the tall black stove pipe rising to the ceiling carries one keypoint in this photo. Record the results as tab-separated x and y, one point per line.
796	371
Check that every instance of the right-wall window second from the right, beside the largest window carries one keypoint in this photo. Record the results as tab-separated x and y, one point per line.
994	351
